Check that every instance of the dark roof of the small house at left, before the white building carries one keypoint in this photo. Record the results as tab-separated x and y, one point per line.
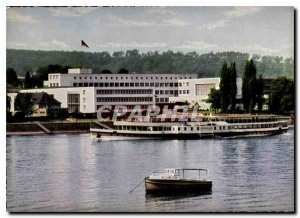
39	98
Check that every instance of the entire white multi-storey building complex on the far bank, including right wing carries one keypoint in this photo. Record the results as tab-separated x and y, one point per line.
81	90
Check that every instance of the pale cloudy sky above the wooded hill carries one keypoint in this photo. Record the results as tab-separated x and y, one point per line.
260	30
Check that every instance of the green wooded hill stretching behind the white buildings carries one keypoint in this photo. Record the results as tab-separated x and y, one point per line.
205	65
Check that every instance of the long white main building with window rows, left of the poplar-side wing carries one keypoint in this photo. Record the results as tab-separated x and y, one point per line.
85	92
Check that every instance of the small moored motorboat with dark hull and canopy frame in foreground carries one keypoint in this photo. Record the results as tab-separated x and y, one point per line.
174	180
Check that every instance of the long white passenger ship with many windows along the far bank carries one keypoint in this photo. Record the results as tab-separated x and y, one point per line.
208	127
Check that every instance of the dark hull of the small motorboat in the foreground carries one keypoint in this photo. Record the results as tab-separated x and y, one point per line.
169	186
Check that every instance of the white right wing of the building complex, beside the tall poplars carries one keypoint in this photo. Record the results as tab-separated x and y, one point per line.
195	91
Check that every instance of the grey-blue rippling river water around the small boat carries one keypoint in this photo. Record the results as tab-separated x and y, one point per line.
75	173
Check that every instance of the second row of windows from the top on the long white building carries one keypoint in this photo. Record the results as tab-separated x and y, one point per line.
125	84
